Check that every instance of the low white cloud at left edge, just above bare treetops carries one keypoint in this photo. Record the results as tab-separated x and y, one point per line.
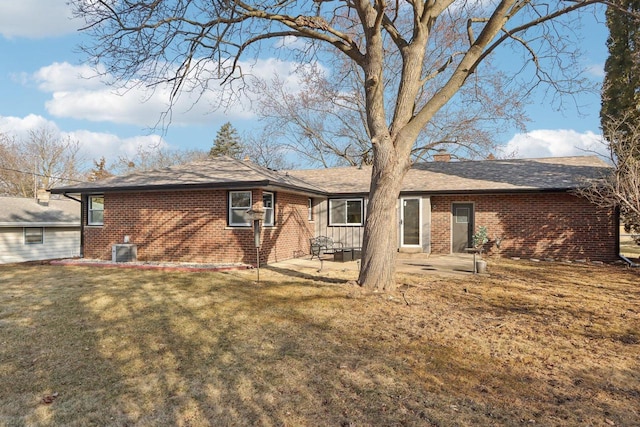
93	145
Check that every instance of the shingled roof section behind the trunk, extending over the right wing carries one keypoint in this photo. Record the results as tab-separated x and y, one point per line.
512	175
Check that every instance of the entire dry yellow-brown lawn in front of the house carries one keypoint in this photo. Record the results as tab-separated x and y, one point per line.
531	344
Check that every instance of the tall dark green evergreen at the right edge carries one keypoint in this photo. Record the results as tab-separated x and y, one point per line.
621	87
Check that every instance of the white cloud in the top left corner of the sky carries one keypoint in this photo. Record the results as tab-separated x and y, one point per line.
36	18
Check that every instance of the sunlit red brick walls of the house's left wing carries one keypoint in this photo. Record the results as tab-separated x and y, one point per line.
191	226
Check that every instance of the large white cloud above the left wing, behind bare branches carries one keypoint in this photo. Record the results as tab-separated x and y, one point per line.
77	93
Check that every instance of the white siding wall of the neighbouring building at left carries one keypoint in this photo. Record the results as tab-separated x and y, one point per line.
59	242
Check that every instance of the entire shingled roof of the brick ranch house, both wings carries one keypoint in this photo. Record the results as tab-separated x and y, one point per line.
512	175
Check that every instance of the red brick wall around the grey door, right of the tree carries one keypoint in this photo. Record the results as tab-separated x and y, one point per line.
549	225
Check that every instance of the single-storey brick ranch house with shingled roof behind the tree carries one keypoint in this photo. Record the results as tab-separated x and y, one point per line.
198	212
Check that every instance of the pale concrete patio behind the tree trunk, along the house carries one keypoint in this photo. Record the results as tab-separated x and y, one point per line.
450	265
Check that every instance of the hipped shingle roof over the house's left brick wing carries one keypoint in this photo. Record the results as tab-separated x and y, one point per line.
217	172
